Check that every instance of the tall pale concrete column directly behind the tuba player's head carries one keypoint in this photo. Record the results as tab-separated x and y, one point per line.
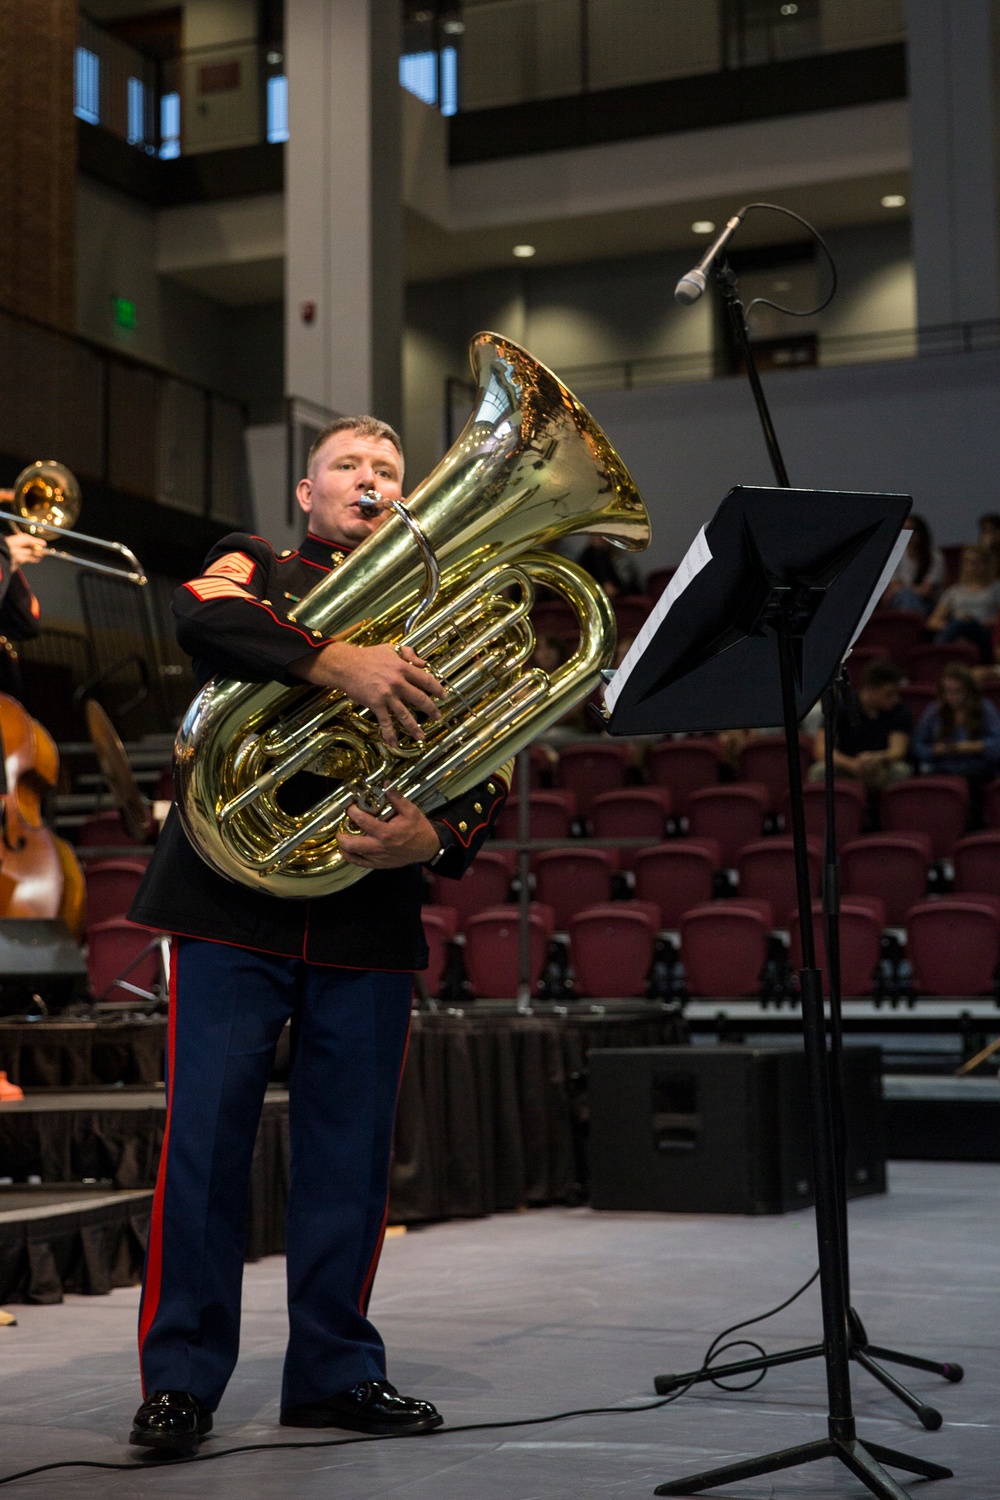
344	206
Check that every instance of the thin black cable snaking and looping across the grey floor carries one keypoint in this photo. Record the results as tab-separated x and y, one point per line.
713	1352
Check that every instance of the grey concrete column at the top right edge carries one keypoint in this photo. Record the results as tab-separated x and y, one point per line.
954	148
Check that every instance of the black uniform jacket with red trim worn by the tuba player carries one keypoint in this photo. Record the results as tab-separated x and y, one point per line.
233	622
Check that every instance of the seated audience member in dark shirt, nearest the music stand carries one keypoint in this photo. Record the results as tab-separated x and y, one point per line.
873	730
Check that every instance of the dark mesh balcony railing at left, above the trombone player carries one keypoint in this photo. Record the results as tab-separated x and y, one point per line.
118	421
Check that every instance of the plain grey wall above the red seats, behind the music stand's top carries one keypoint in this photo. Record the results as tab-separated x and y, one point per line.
911	427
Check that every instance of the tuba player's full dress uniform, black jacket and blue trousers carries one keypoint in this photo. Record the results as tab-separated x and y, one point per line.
341	970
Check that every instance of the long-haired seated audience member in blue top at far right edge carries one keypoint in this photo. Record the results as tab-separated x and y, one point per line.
960	734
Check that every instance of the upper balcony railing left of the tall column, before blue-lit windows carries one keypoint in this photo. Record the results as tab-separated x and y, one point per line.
203	100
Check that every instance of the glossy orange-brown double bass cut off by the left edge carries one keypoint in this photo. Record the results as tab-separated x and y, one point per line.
40	874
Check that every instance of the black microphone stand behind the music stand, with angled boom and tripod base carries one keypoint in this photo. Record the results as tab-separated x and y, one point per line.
858	1346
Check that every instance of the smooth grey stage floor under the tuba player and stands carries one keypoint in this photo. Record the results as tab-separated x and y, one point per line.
533	1313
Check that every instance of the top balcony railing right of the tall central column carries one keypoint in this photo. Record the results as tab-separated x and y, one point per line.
490	53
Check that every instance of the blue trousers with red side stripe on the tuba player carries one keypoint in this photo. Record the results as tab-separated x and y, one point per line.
229	1007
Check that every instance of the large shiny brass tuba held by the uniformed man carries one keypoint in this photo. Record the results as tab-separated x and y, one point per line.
454	574
